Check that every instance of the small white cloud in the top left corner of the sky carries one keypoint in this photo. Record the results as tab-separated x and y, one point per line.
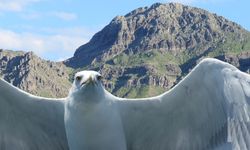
14	5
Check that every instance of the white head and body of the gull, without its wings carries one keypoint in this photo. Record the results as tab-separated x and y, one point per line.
91	118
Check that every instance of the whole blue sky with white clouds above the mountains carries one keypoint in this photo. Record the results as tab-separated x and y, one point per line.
53	29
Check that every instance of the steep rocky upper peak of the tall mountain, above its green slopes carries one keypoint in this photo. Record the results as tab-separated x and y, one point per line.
169	27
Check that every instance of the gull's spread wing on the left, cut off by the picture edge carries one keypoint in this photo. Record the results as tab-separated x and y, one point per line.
28	122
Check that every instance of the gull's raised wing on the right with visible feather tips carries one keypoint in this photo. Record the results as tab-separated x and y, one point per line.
209	109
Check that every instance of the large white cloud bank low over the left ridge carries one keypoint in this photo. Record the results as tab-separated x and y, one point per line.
55	46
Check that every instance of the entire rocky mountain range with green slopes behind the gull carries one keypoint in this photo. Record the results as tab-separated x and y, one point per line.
145	52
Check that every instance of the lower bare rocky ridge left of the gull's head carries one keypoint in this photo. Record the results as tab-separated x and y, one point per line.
35	75
